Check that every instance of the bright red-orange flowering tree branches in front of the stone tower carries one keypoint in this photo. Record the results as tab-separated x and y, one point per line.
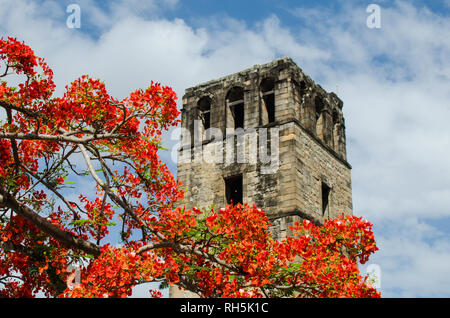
45	228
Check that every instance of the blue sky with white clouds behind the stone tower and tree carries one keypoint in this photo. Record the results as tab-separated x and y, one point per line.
394	80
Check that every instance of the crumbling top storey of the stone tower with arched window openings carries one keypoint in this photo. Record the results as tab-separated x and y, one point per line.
317	111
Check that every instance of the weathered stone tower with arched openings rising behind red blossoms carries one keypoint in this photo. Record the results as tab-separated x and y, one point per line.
267	135
